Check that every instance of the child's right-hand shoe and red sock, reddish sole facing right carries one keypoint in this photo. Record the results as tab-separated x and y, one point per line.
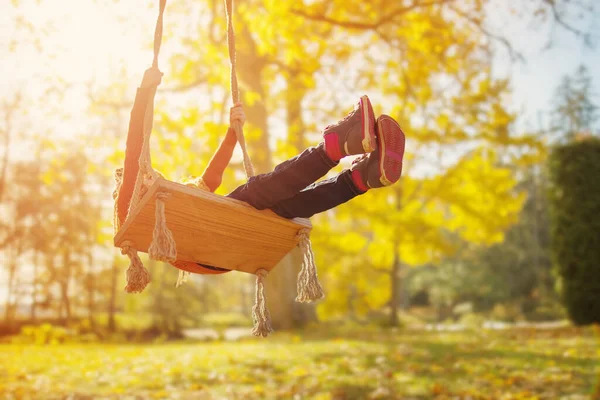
382	167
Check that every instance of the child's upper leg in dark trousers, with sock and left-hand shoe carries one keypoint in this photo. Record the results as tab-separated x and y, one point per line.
355	134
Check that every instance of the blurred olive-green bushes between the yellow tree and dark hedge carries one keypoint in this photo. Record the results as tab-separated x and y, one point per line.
516	274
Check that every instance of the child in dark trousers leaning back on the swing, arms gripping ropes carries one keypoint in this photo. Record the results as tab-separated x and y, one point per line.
291	190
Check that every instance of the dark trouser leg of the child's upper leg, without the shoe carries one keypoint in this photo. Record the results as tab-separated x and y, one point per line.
287	179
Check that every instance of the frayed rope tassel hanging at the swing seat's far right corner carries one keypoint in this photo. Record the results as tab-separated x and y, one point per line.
308	286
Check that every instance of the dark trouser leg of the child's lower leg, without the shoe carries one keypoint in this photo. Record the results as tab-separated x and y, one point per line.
318	197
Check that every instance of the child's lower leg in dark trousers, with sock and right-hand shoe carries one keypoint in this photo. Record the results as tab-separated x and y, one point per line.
380	168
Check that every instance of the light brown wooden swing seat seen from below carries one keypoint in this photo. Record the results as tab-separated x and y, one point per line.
212	229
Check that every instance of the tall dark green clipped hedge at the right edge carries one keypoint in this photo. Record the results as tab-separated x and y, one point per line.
575	216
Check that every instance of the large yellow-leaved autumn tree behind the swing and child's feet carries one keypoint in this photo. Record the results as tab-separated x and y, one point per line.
432	70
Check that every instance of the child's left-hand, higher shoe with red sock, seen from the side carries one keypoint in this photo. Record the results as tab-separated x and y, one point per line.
355	134
